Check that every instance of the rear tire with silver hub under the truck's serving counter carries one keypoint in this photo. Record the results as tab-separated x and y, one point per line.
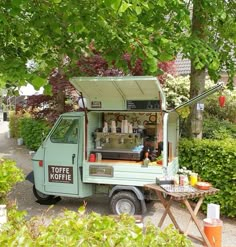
125	202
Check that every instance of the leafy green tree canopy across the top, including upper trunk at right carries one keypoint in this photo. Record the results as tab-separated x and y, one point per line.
48	31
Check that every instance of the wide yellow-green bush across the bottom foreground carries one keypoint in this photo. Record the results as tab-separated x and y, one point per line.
81	229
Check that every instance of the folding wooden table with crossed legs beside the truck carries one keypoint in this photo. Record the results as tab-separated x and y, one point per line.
167	199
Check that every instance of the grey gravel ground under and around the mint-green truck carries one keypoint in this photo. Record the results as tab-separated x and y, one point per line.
25	199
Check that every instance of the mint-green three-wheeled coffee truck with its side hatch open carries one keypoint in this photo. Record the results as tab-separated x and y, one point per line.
111	144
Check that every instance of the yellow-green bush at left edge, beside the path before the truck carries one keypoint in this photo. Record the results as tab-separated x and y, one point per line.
9	176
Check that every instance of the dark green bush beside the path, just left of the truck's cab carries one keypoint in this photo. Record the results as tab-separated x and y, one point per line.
33	132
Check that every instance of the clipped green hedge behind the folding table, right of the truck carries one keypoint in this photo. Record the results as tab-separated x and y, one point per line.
215	162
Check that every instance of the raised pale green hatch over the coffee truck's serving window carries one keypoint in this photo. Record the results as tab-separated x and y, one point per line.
119	93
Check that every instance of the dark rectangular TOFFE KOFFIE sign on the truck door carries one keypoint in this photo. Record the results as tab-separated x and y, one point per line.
60	174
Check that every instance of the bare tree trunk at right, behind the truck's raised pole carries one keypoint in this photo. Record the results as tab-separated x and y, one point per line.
197	77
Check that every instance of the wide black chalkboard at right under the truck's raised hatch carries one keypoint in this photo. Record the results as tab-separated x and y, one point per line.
149	105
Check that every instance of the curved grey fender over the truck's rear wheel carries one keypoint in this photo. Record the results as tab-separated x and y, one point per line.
135	190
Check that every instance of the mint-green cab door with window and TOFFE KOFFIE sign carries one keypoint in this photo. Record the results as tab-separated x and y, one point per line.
61	157
